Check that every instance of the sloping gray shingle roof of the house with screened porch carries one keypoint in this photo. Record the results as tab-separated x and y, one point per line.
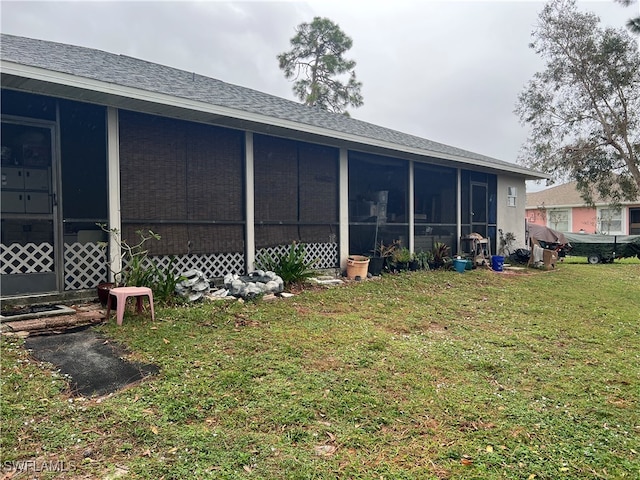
130	72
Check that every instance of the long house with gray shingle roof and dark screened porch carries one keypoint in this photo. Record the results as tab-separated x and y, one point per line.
223	173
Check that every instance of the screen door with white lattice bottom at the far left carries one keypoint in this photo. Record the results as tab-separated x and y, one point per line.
28	176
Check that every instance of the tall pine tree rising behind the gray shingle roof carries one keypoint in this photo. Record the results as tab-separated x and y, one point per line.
316	62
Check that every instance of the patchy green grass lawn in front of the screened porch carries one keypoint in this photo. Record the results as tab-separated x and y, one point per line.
414	376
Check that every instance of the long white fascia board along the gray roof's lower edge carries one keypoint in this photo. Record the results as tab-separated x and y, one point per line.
35	73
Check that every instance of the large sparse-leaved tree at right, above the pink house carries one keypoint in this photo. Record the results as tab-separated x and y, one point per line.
584	108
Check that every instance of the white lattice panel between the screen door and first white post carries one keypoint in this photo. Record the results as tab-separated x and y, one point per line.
85	265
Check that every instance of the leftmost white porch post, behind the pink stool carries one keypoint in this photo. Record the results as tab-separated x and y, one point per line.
113	181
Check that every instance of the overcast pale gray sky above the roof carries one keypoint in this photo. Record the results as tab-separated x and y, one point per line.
449	71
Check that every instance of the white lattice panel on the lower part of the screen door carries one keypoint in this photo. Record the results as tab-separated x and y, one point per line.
27	258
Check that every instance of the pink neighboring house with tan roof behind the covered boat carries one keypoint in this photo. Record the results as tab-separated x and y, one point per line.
563	209
